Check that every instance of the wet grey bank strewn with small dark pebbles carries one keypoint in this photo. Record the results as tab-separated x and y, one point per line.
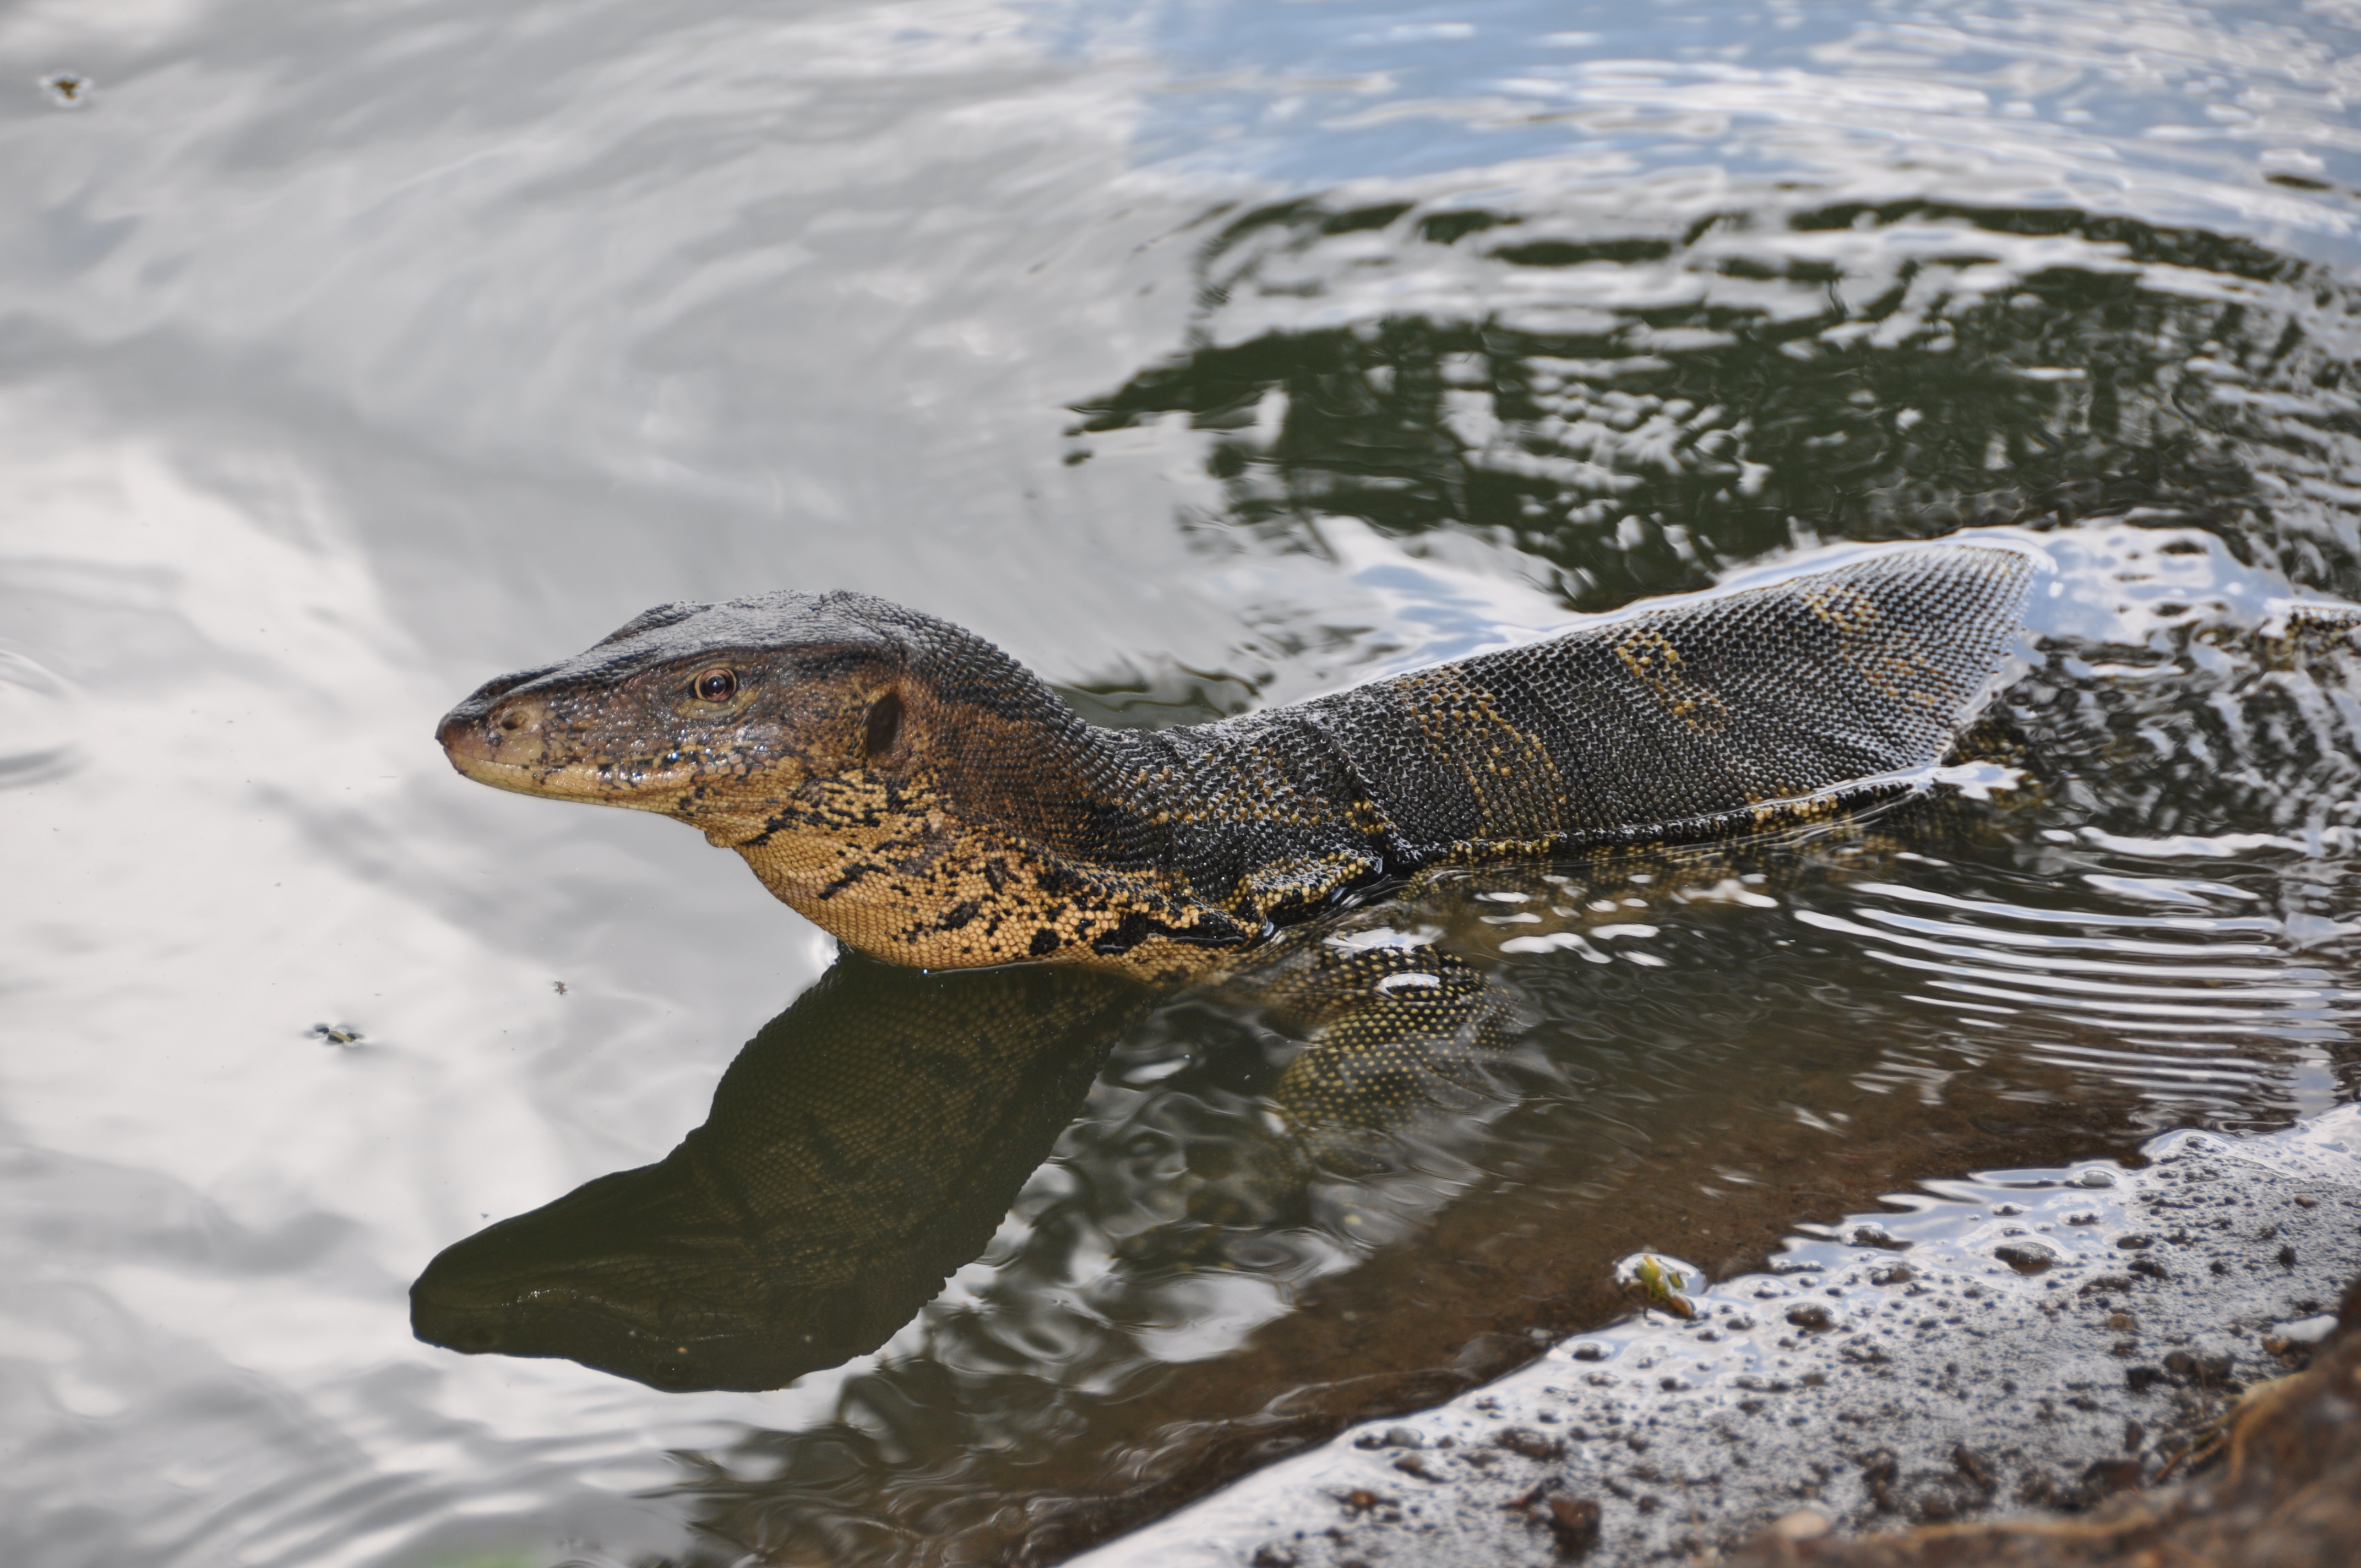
2039	1342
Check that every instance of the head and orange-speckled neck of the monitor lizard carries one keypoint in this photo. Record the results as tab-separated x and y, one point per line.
884	773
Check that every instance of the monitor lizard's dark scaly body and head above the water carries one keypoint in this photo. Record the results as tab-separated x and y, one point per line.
934	804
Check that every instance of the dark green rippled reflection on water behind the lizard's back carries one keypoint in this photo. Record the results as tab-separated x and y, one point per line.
1647	410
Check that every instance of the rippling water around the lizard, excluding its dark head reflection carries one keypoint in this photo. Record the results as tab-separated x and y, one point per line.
1203	360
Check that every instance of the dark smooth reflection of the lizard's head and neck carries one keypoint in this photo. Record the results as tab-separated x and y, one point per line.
861	1149
